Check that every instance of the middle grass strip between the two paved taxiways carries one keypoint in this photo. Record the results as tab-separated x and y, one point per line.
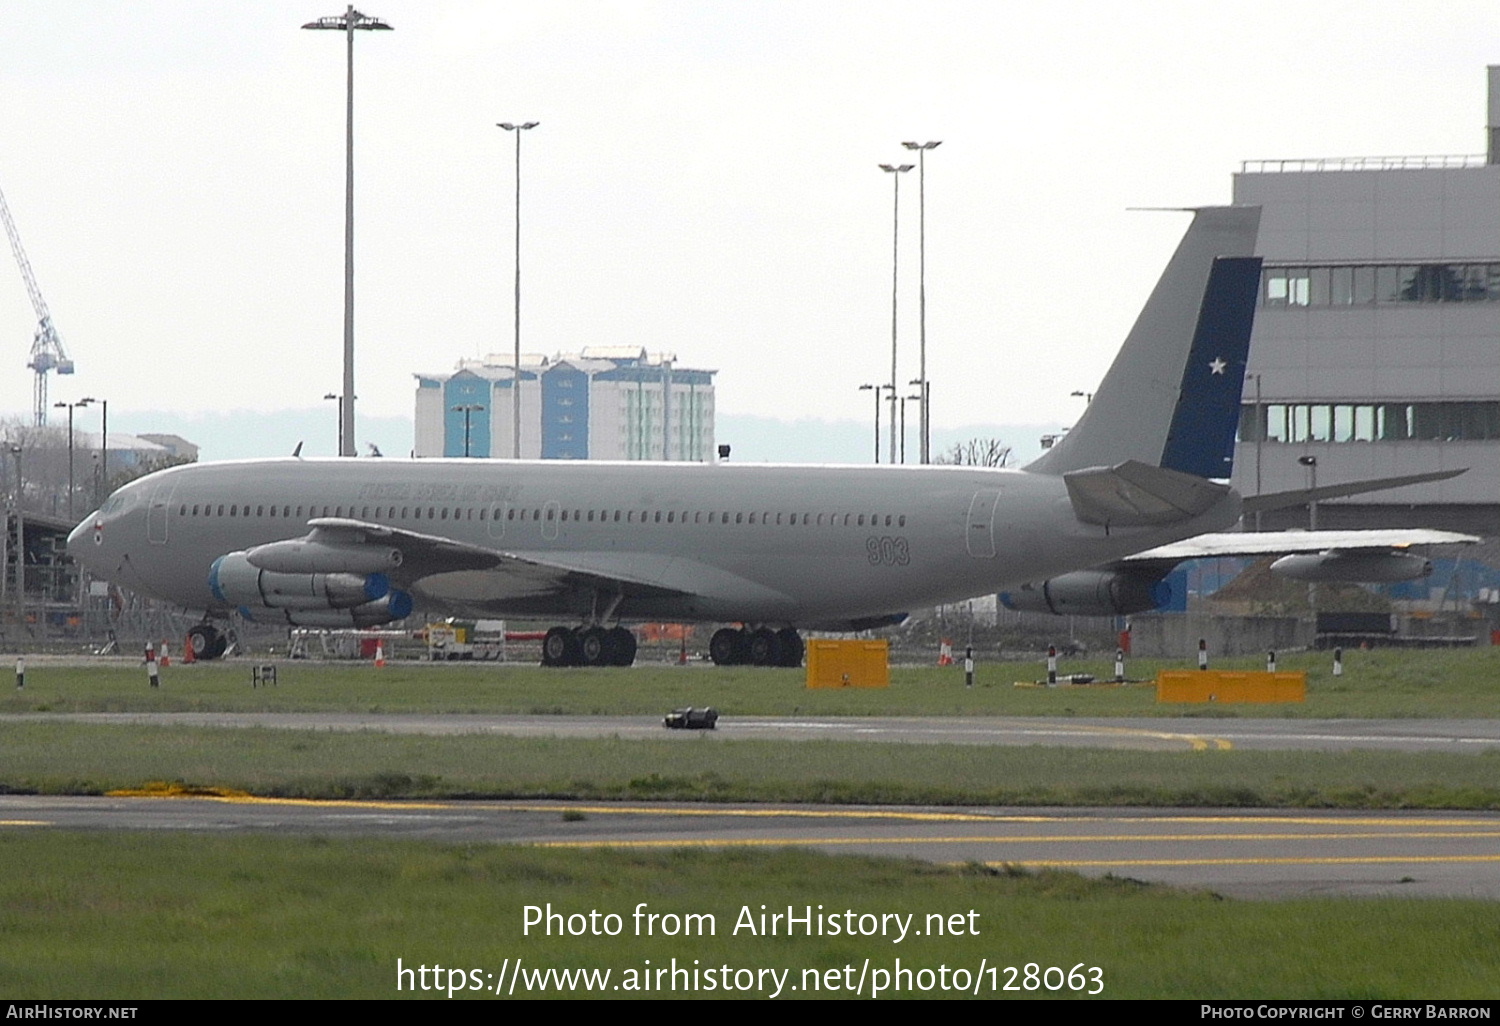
68	758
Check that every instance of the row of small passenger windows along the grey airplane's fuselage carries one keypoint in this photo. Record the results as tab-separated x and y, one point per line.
545	514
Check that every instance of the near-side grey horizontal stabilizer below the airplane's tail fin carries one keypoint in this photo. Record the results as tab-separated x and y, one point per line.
1136	494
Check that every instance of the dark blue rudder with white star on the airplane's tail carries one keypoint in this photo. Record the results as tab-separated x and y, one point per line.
1202	437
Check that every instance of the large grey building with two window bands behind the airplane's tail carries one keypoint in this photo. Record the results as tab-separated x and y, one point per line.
1376	350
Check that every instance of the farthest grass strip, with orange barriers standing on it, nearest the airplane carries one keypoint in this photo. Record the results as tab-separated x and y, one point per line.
1378	685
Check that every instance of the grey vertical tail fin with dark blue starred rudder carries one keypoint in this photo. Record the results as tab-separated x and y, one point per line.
1172	397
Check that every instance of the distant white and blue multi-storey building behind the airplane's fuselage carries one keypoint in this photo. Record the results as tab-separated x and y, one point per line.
604	403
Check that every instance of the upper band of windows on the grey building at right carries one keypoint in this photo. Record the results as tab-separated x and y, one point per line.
1370	284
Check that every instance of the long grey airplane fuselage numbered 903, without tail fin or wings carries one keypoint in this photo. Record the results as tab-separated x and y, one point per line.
727	542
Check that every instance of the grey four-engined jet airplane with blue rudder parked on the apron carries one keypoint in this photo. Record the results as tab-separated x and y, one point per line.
776	548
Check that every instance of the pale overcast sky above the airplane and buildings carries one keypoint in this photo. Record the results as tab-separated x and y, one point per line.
704	181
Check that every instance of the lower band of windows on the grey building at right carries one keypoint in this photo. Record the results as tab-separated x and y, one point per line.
1372	422
